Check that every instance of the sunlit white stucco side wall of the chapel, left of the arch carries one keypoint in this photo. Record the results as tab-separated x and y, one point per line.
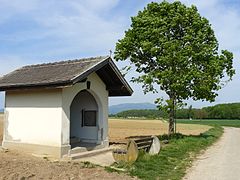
34	117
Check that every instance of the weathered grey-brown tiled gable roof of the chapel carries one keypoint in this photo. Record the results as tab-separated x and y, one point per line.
60	74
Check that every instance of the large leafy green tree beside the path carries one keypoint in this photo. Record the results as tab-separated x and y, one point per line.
174	47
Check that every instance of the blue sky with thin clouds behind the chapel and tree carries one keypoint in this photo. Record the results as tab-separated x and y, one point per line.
36	31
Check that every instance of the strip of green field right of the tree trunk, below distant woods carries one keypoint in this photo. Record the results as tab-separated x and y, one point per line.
231	123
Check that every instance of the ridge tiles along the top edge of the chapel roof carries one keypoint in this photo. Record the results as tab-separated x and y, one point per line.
65	62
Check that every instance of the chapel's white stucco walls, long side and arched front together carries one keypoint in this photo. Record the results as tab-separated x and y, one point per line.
42	117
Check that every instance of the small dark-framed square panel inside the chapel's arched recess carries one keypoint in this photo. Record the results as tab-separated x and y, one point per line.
89	118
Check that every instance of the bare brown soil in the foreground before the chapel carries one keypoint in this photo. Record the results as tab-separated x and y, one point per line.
15	165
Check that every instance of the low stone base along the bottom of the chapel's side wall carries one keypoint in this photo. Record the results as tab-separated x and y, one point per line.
53	151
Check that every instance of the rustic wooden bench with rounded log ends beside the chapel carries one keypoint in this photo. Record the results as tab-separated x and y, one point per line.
133	146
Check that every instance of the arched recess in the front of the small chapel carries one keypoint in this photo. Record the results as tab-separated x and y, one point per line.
83	119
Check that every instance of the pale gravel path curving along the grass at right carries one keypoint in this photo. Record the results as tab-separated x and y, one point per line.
221	161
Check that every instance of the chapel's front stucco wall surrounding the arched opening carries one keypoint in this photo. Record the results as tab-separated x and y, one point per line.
98	90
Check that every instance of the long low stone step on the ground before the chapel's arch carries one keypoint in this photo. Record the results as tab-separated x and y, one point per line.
89	153
